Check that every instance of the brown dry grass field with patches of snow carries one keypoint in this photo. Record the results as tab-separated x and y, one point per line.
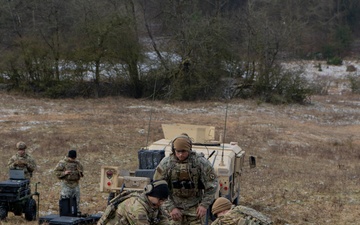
307	172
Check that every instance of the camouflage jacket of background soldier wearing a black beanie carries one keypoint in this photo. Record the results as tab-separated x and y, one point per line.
77	171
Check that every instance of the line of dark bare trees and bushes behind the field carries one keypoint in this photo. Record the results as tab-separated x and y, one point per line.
200	49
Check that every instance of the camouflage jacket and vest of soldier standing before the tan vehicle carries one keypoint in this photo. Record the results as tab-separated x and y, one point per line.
191	182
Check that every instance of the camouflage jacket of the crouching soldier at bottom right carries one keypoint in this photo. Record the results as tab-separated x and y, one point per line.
241	215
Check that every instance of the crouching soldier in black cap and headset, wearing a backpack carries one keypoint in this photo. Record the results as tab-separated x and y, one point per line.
140	209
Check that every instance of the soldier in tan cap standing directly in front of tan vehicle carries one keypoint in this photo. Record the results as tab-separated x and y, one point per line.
192	182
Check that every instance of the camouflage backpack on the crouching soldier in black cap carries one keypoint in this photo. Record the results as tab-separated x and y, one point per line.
110	210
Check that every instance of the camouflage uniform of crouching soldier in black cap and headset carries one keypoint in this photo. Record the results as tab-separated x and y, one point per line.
137	210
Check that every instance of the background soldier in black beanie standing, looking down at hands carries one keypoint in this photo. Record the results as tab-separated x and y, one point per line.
70	171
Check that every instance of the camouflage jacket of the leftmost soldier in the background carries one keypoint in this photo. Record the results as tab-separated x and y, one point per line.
25	162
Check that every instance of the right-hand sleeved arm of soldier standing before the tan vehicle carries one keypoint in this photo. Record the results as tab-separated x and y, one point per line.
210	182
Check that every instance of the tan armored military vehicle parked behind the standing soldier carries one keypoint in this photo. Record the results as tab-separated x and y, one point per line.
226	158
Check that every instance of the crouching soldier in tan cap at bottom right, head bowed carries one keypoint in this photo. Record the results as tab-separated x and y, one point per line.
228	214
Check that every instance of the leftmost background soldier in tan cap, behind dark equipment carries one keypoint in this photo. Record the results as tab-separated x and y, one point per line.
22	160
